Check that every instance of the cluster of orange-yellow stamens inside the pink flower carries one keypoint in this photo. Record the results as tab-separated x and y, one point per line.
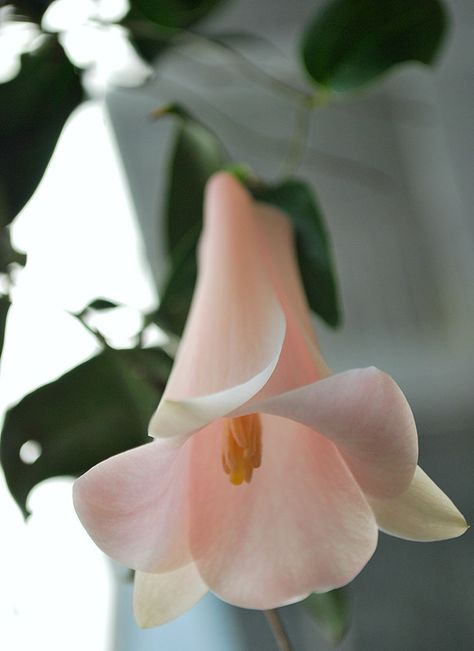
241	447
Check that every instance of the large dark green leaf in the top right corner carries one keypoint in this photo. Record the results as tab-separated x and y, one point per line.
351	43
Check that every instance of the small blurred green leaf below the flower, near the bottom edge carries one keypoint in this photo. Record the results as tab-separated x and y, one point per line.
331	611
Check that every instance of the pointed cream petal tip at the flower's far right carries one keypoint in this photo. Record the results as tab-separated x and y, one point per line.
422	512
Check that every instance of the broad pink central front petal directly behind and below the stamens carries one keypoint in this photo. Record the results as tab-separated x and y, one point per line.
301	525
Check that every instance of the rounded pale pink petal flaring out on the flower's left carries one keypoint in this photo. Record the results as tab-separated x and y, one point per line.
135	506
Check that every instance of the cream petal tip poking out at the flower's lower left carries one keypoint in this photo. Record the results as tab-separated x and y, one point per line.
159	598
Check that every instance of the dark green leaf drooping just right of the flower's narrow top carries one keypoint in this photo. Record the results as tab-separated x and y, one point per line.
315	258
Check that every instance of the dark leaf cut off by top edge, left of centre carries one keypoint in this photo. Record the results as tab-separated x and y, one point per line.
174	13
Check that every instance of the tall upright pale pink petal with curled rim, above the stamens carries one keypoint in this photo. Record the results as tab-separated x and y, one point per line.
236	327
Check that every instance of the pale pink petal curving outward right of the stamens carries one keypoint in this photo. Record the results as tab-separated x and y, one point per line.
366	414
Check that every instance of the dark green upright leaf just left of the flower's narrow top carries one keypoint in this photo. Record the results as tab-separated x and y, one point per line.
196	155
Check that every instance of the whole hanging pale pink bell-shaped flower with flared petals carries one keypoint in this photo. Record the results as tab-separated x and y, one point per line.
268	478
